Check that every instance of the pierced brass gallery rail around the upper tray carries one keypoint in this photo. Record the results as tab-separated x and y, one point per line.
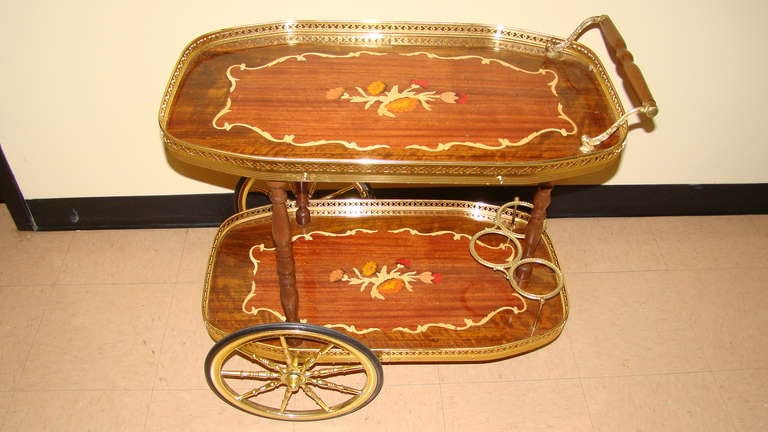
382	171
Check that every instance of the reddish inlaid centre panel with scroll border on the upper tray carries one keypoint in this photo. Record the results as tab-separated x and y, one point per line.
372	100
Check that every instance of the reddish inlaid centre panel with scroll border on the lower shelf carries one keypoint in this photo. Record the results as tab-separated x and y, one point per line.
393	285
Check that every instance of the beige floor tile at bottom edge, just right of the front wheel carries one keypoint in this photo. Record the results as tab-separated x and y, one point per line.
396	408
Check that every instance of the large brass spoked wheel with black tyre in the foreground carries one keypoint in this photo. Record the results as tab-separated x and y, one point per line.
292	371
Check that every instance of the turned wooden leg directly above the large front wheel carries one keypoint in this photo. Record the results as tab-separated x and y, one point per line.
281	234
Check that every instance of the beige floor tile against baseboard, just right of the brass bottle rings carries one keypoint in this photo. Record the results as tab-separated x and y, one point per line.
605	244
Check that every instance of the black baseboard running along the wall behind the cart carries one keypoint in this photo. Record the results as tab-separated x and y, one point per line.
207	210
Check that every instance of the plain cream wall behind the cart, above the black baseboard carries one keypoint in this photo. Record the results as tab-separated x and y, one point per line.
81	82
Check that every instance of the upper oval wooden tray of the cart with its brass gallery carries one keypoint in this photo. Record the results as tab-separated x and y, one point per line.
389	102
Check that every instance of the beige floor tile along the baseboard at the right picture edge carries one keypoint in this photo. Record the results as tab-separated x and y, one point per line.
713	241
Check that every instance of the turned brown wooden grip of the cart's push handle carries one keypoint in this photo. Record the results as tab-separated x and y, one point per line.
625	62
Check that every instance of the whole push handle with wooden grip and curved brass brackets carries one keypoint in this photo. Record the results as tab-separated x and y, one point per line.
625	66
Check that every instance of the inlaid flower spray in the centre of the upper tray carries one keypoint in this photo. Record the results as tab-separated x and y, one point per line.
393	101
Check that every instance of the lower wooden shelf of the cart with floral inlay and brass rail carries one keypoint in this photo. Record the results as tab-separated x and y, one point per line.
398	276
